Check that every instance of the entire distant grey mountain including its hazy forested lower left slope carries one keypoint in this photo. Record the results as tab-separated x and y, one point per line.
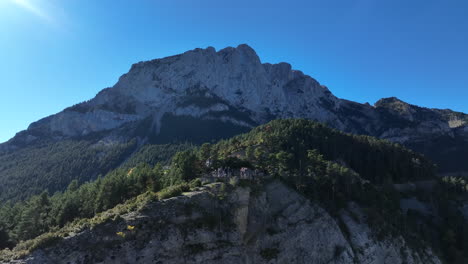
200	96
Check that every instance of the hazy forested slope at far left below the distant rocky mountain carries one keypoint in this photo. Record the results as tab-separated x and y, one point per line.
53	165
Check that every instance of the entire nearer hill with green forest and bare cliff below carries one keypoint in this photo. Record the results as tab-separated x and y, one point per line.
289	191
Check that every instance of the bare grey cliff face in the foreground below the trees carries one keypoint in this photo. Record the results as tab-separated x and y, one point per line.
270	225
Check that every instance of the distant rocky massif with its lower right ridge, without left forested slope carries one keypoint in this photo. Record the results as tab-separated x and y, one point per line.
234	89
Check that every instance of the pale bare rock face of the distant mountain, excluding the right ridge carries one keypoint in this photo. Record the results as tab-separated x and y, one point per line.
201	83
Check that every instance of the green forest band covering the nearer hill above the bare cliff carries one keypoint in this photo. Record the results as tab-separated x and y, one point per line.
325	165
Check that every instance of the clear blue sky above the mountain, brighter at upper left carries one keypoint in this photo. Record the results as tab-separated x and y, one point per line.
55	53
